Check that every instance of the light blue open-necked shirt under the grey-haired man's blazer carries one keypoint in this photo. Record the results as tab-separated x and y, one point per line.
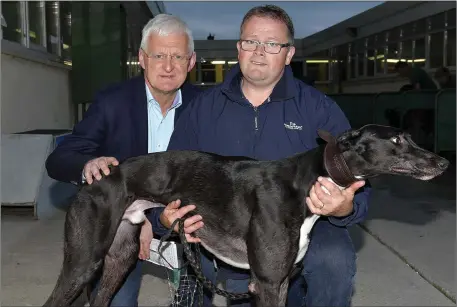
160	127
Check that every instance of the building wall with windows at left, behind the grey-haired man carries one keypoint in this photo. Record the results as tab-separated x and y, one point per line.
56	54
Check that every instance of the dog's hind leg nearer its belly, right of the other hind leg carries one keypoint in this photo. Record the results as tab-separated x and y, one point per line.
121	258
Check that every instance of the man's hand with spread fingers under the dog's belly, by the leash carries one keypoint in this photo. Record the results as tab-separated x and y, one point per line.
191	224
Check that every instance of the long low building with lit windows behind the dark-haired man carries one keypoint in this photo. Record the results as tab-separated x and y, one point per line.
358	54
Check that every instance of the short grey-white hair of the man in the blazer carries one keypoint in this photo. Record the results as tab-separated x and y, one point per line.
165	24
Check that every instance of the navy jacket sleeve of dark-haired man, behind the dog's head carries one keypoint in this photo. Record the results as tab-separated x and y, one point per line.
332	119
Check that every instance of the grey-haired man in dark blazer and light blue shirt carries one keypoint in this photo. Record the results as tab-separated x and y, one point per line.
133	118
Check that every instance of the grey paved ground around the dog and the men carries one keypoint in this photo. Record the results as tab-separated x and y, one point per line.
405	251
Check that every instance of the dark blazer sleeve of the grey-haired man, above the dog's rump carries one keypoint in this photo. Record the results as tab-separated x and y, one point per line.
67	161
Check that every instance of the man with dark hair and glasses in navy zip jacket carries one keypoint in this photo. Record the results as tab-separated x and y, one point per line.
262	111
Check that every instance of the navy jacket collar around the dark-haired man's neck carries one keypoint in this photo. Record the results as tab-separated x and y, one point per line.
285	89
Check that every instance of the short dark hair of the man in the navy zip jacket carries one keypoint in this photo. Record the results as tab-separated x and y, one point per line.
273	12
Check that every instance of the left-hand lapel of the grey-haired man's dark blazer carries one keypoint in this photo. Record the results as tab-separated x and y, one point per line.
139	113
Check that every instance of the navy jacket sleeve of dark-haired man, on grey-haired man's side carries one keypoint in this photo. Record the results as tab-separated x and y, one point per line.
184	137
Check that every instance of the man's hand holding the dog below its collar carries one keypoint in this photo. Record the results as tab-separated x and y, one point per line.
339	203
